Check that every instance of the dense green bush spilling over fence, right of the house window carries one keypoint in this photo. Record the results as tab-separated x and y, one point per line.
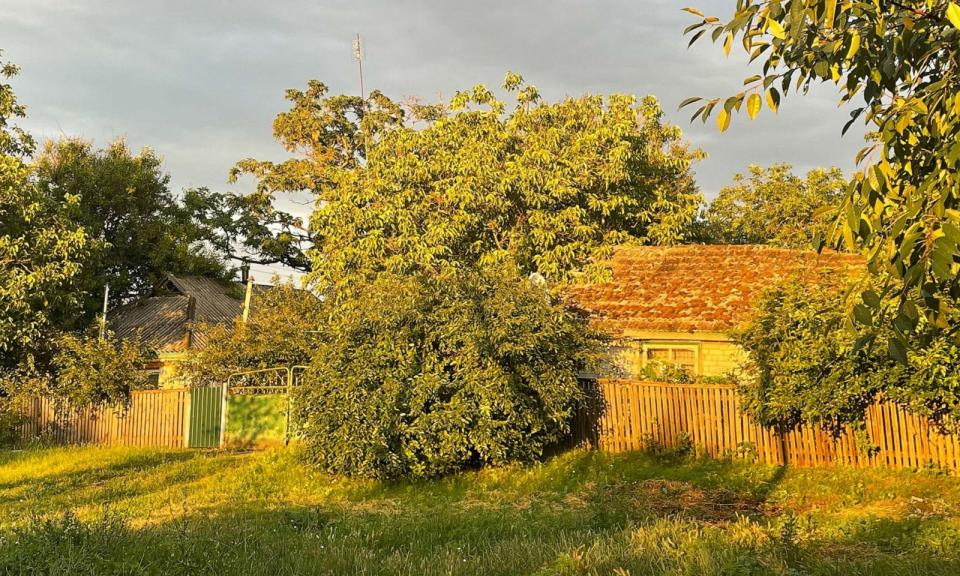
810	363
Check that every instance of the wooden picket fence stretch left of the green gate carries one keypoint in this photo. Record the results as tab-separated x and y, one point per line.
156	418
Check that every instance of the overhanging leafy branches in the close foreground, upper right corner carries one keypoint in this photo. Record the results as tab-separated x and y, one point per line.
903	207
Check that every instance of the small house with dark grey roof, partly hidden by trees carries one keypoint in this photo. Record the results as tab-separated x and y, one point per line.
168	322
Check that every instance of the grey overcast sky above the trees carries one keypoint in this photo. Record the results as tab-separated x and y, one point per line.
200	81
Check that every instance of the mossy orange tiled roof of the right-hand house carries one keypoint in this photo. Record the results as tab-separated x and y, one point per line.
696	288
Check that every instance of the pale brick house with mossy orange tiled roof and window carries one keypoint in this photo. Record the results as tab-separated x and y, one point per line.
678	304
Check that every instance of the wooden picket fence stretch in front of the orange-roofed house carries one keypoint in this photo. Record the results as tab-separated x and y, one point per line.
635	414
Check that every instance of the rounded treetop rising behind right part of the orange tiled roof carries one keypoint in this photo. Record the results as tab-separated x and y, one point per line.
774	206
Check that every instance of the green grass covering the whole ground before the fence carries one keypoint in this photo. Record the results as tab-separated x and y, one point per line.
99	511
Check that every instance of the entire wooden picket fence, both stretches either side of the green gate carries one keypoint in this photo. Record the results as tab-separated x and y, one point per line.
630	416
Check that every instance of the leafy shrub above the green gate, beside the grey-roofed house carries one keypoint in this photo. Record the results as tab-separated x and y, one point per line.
280	332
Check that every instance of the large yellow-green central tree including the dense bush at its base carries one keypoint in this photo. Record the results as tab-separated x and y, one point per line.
438	233
